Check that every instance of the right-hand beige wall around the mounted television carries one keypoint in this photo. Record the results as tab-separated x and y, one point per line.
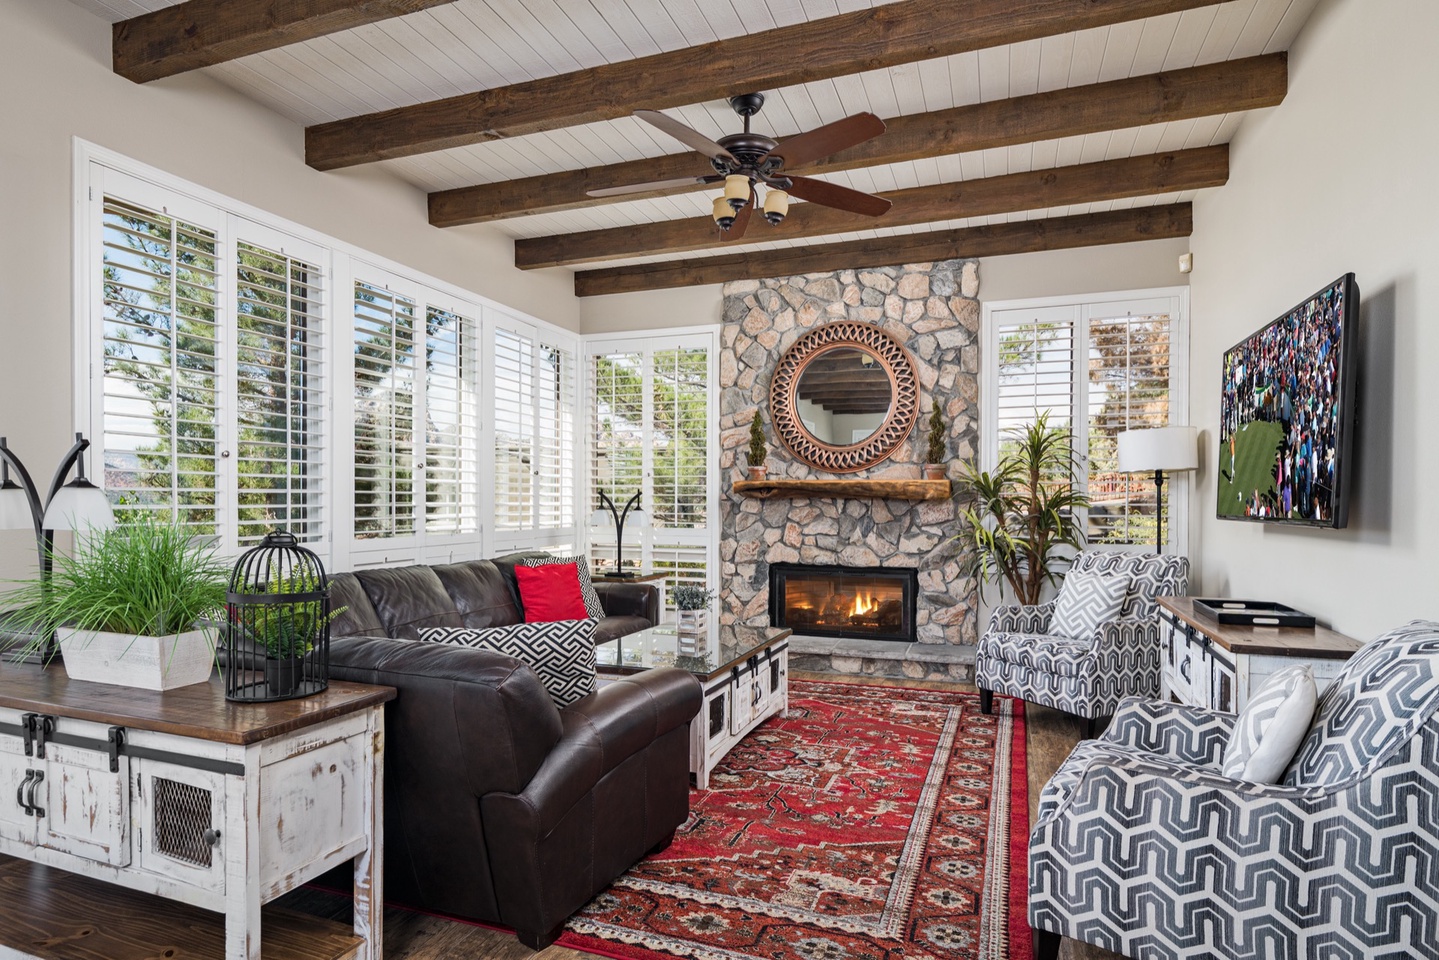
1340	178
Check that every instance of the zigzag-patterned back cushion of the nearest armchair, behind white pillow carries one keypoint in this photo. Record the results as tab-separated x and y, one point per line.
1379	700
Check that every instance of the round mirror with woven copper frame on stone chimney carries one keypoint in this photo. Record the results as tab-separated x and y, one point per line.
844	397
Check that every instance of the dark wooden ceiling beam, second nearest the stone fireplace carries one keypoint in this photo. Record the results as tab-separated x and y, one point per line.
1035	191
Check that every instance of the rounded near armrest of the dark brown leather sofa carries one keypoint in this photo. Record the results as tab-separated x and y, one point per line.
605	730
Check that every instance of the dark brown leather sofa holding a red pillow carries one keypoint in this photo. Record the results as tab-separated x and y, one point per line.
499	807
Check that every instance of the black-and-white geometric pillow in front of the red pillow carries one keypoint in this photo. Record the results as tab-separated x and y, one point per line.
560	653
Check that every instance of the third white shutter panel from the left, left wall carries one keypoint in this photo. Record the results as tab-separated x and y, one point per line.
383	414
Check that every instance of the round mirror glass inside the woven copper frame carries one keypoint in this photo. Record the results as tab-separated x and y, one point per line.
844	397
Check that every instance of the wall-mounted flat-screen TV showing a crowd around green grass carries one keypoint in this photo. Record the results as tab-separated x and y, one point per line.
1289	415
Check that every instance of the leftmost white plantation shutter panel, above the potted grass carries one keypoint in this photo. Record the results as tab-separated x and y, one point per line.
160	379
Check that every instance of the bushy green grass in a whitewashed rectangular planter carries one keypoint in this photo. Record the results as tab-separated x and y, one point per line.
130	605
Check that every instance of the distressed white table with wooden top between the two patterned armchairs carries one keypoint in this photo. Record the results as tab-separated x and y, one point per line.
1220	666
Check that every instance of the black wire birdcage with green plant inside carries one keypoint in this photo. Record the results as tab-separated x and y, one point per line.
277	640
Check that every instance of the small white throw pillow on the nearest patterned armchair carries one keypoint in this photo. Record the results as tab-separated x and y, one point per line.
1271	726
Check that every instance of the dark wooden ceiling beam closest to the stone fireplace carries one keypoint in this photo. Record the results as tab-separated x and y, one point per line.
1001	240
